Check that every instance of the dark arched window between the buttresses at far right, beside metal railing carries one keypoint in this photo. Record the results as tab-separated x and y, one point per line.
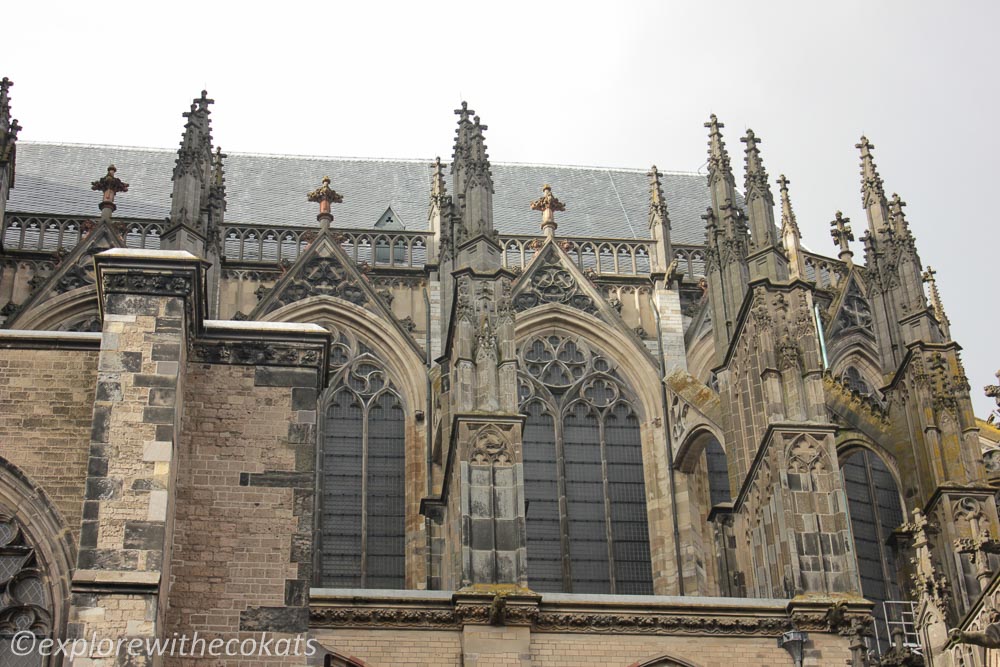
875	511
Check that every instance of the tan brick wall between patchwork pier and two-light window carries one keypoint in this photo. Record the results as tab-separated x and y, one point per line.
244	496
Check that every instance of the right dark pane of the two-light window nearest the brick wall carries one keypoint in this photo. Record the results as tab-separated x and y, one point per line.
386	494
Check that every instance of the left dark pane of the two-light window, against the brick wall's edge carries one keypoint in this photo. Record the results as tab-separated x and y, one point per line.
341	513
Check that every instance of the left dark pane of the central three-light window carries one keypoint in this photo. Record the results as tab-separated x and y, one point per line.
541	491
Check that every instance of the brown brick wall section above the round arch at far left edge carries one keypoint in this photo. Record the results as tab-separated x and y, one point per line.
46	405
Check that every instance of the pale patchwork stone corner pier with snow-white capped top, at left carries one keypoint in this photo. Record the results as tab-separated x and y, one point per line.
152	301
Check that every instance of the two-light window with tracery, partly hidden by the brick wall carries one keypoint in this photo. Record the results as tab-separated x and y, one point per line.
362	515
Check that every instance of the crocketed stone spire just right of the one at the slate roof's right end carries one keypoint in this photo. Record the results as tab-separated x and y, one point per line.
760	206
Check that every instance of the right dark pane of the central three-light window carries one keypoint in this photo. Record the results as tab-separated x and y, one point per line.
627	491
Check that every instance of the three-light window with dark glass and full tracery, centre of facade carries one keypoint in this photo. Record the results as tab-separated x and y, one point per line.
583	477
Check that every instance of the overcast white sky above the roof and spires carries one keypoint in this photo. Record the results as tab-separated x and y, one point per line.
624	84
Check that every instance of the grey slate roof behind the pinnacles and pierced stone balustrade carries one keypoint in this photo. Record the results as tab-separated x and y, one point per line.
270	190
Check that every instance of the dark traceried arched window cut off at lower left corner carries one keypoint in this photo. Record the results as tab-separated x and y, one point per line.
24	603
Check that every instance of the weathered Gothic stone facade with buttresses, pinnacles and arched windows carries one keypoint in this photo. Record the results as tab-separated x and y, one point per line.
456	446
